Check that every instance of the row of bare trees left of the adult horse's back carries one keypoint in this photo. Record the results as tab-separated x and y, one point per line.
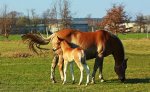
59	12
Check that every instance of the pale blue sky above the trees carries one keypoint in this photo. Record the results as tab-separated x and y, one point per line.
80	8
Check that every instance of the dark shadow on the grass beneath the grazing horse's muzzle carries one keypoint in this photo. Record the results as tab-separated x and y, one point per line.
130	81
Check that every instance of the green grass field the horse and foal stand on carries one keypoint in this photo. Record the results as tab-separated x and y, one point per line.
32	74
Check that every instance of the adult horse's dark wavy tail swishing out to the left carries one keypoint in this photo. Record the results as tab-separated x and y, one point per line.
35	40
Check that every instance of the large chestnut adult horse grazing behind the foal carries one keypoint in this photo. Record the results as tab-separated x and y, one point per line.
98	45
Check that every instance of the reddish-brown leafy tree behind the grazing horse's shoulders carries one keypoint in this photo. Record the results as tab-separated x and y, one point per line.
114	19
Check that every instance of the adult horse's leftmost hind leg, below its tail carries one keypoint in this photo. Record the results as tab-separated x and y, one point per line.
53	66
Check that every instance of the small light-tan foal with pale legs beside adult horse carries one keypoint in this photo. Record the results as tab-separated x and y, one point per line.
77	55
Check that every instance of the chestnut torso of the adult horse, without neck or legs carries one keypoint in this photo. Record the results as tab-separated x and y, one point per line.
92	42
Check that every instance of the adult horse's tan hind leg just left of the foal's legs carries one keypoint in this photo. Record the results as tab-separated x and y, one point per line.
60	65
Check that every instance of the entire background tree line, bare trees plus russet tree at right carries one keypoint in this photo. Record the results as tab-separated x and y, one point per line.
60	12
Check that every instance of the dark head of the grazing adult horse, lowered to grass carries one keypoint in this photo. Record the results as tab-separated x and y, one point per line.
121	69
